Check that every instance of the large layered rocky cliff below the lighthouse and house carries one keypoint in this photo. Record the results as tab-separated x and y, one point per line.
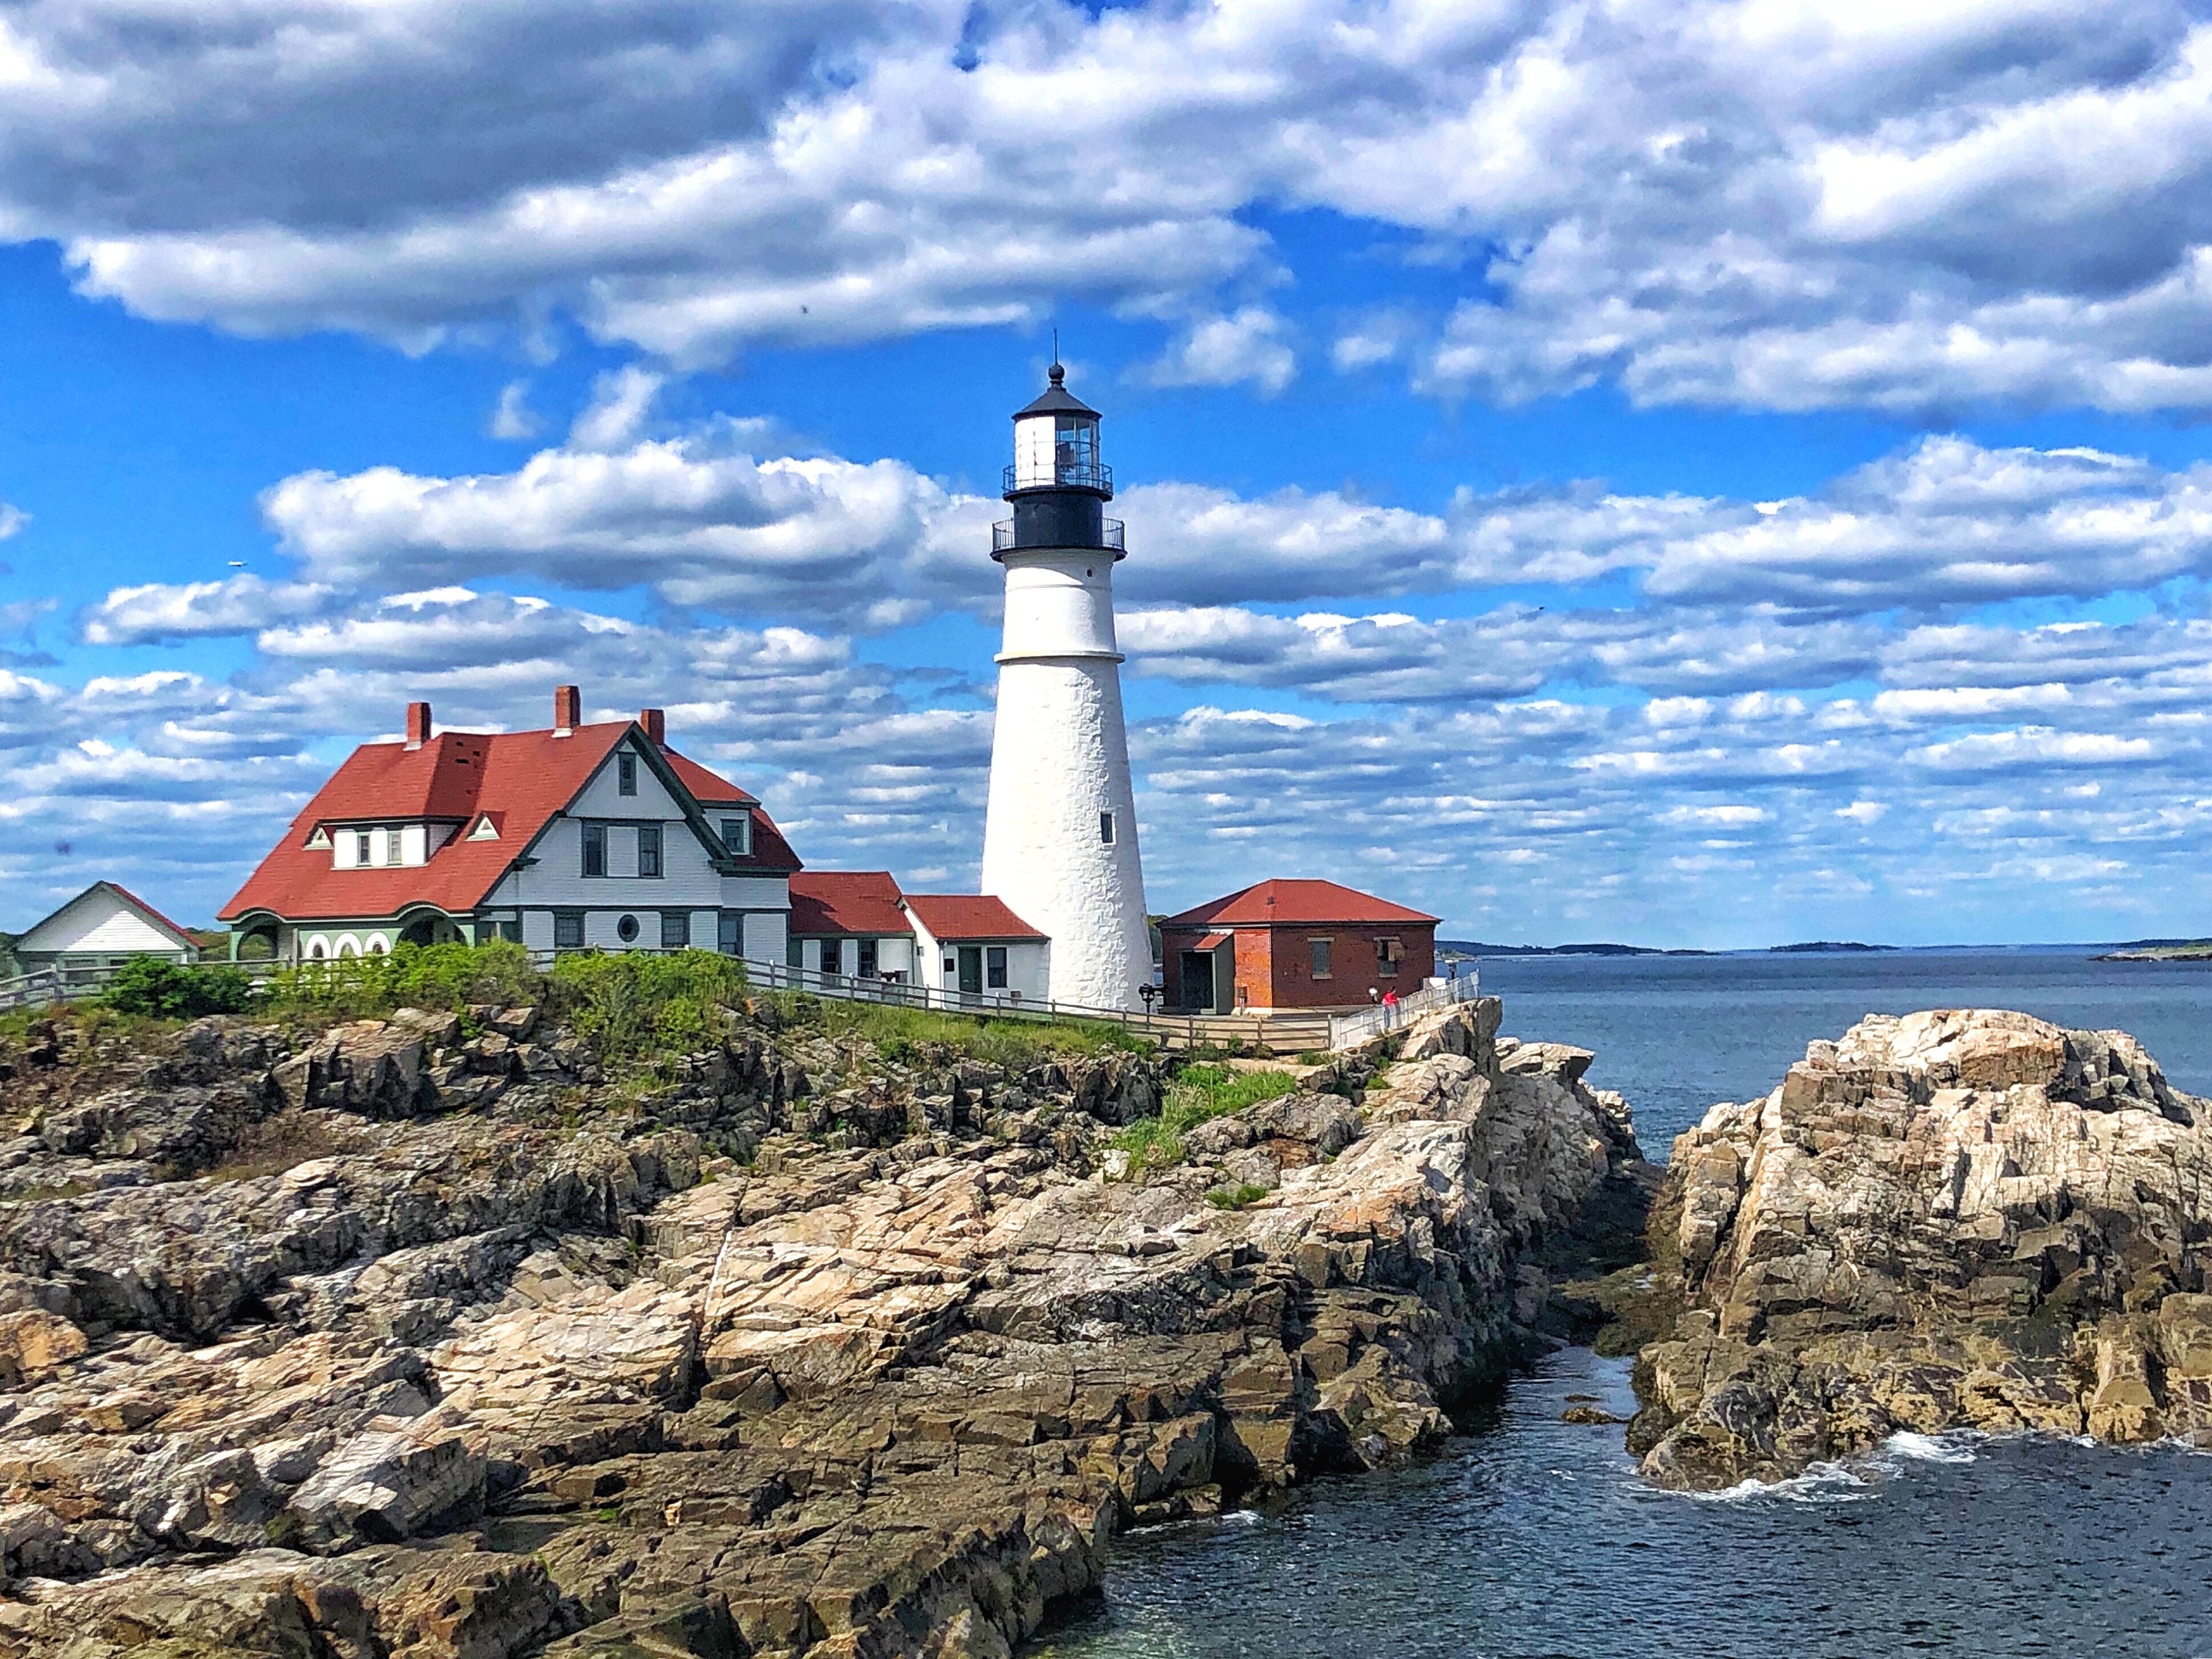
424	1339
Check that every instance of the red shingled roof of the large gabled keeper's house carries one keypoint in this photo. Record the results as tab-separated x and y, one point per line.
521	780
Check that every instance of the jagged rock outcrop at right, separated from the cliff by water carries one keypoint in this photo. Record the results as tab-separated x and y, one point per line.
1943	1220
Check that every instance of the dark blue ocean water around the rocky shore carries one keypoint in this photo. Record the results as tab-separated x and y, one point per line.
1536	1541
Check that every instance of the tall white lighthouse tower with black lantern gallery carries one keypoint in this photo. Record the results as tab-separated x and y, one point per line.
1061	839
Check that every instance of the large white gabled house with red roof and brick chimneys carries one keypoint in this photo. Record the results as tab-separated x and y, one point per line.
561	839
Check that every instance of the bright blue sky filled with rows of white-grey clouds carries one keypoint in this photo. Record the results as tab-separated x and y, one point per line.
1700	474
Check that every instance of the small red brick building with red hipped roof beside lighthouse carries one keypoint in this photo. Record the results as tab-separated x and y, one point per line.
1293	946
